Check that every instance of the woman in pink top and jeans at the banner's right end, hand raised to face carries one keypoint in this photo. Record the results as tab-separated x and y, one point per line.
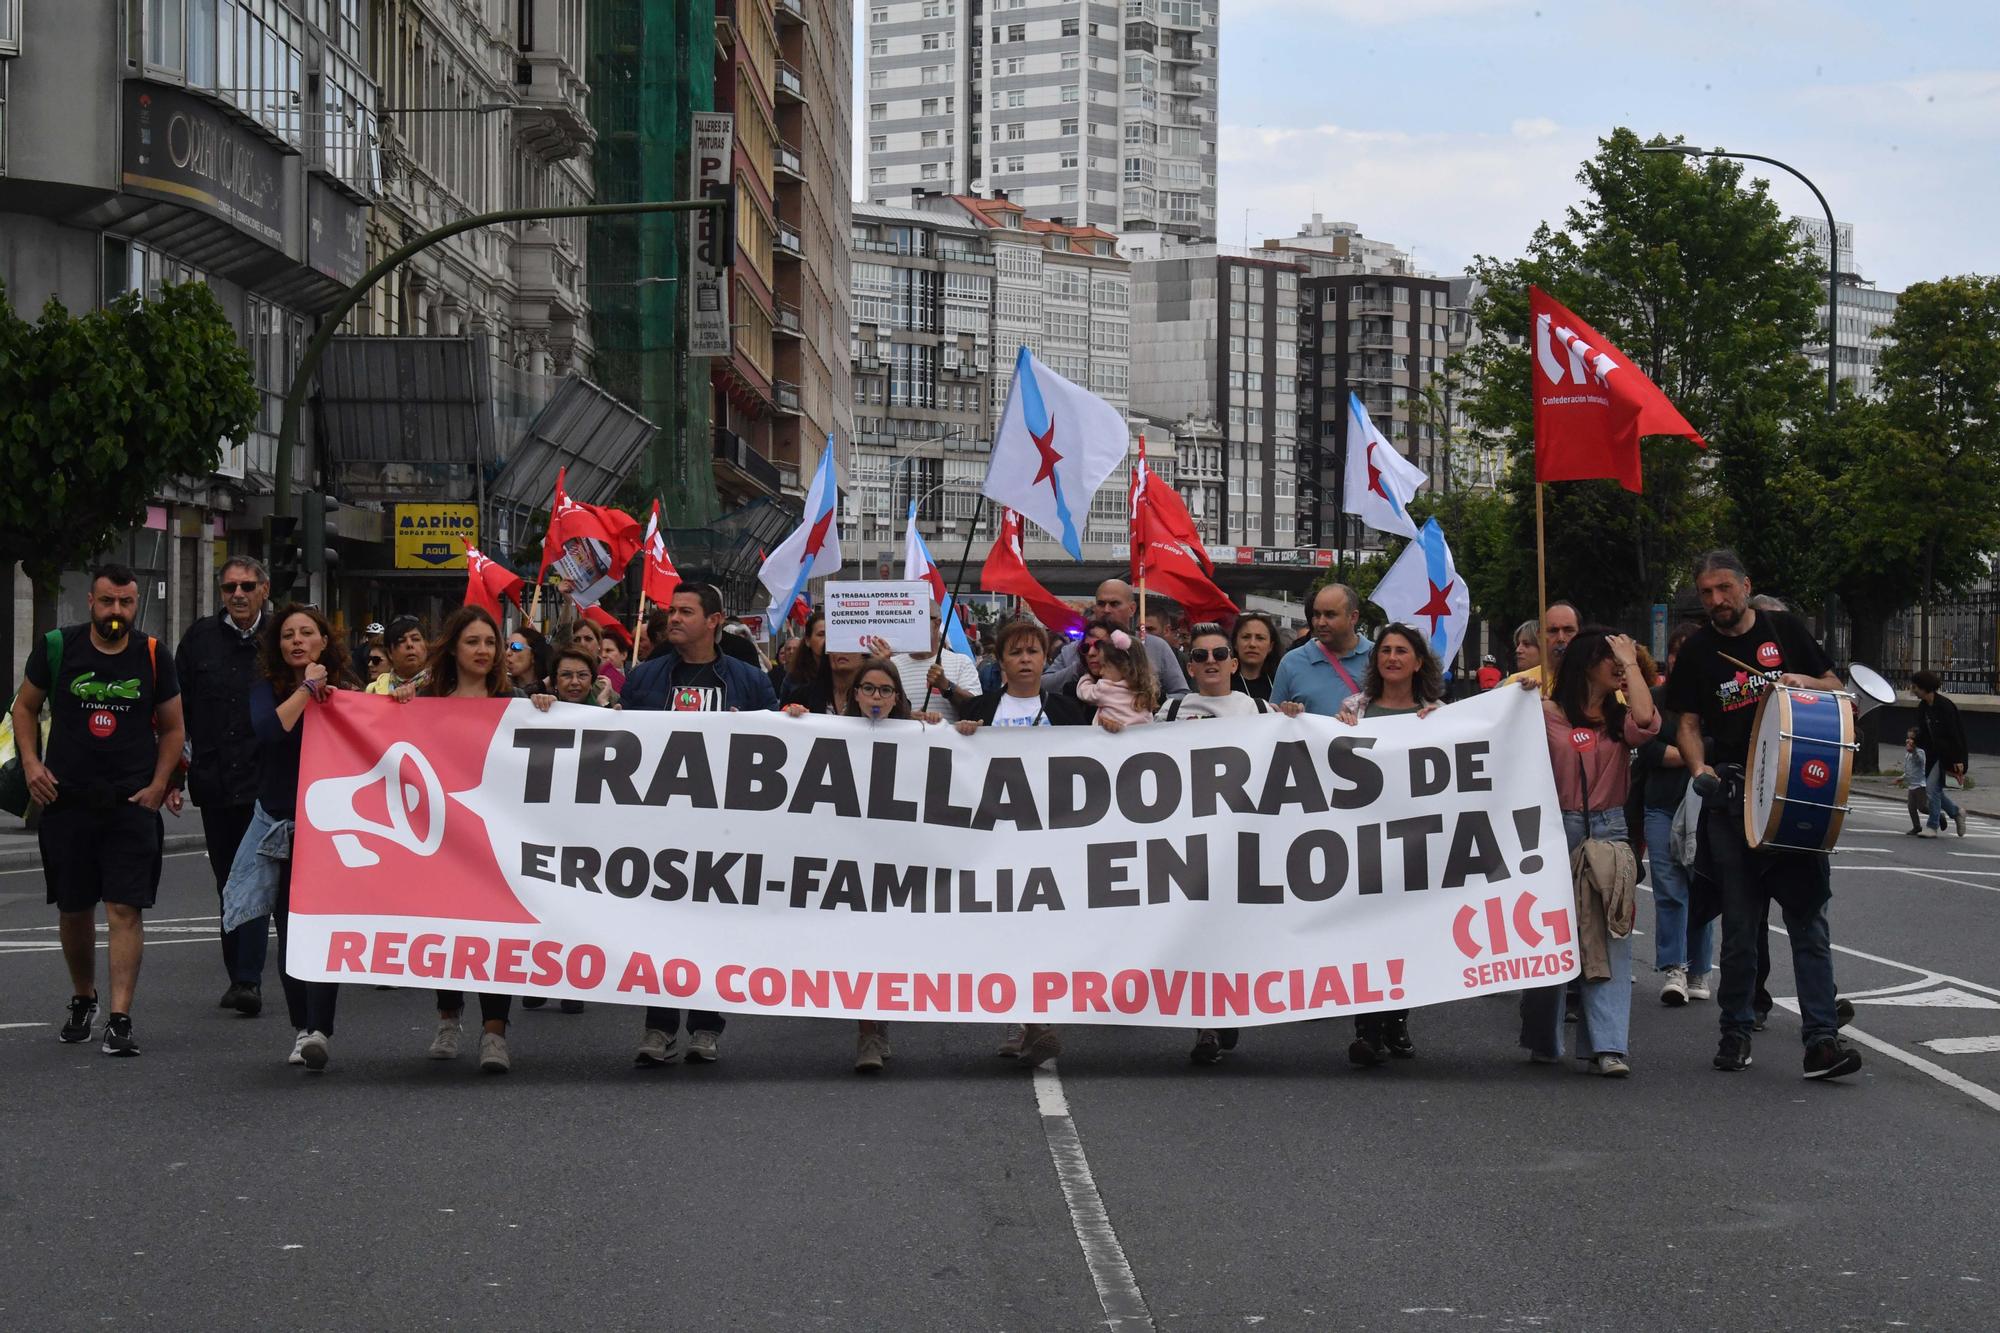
1597	714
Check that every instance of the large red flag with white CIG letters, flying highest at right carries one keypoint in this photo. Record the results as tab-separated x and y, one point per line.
1591	403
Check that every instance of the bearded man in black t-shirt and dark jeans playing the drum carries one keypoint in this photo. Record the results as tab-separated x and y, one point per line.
1717	698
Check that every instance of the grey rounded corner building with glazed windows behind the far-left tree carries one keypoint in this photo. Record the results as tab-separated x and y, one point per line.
177	141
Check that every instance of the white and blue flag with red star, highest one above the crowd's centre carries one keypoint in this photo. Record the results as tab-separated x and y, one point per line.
1055	447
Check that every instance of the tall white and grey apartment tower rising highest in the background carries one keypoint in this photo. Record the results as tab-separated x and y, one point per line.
1085	111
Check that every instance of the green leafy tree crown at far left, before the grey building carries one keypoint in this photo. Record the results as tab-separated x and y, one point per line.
103	411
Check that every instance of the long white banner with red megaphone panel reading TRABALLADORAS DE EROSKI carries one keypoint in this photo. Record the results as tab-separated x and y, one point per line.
1195	876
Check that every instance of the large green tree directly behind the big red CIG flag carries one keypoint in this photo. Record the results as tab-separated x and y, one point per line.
1711	293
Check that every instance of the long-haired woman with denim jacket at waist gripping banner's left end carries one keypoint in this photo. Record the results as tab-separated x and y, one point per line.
303	668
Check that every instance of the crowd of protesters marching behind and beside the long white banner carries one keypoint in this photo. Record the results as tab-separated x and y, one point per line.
1627	738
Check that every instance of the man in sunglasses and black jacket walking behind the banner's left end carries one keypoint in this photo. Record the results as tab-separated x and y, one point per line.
217	665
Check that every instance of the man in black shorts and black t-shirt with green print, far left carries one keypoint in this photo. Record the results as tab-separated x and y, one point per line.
113	748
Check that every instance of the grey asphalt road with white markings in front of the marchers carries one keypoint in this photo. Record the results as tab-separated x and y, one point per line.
211	1186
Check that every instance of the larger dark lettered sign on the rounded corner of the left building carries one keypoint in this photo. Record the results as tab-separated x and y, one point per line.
193	153
